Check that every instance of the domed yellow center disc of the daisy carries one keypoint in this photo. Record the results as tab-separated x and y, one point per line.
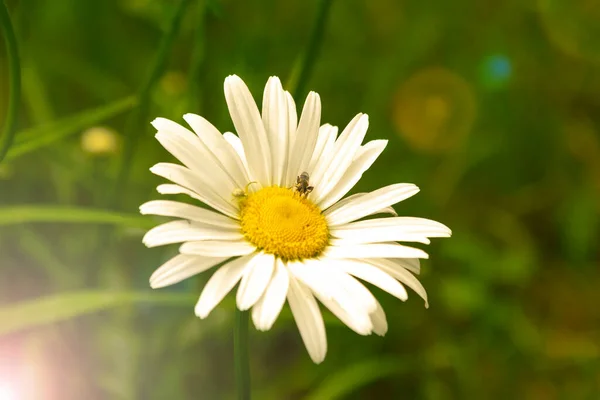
281	221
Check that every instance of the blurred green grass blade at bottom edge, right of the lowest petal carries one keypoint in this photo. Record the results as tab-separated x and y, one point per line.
349	379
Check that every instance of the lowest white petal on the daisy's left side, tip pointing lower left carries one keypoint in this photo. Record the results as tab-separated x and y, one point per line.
181	267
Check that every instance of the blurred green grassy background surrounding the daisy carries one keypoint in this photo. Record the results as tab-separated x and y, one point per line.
492	108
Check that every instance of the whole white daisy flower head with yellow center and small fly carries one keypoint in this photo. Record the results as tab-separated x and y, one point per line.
277	223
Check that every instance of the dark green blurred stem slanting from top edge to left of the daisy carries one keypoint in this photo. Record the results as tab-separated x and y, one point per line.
138	119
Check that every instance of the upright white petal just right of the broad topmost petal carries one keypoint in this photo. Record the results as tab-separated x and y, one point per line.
275	119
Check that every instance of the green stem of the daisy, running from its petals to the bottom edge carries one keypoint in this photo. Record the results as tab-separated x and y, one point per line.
240	350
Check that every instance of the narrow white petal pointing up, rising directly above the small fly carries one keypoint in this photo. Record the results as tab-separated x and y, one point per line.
305	138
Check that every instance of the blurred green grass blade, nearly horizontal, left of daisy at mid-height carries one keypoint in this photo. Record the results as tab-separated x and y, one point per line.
41	213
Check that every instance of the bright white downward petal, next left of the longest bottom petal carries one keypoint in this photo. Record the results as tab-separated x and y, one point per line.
267	309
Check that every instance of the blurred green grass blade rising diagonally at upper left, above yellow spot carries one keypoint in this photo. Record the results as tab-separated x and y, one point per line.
38	137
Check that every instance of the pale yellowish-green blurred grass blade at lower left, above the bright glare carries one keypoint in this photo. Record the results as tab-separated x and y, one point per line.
64	306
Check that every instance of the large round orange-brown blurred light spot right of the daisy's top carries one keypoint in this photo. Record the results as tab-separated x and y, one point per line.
434	110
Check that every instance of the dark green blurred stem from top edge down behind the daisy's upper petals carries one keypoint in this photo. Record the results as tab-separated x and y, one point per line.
300	76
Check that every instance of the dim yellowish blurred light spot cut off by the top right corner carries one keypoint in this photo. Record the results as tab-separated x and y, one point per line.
573	26
